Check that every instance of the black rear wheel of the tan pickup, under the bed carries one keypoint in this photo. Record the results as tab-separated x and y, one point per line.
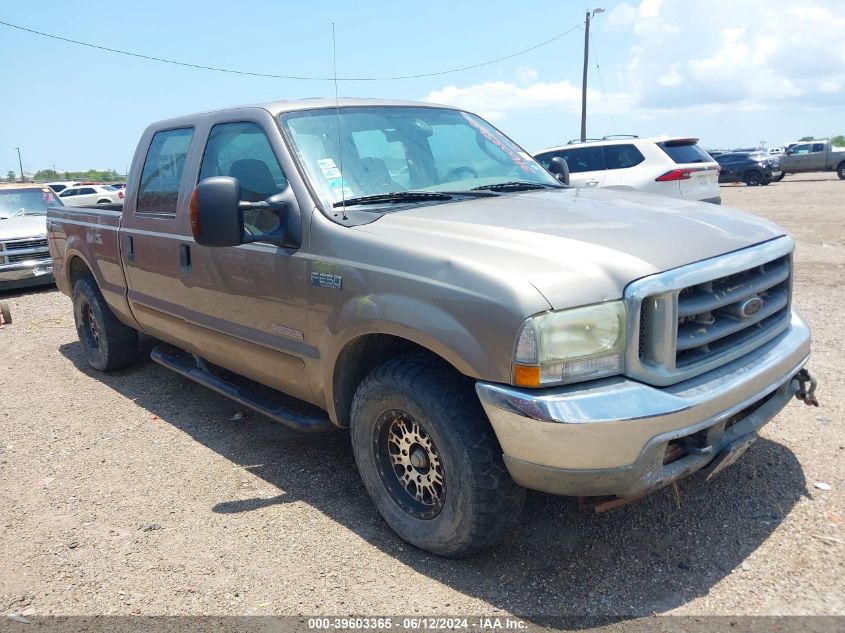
108	344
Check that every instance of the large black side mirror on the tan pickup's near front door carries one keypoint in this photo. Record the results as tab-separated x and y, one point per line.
217	214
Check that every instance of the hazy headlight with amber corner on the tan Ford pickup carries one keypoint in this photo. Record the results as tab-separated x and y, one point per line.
570	345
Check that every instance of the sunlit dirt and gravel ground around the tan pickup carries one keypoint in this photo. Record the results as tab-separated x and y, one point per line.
139	492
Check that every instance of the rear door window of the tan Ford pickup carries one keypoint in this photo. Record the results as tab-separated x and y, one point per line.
162	175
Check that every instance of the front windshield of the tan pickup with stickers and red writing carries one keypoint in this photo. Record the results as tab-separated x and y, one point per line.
390	149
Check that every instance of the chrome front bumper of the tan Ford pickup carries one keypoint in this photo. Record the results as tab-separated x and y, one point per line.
610	437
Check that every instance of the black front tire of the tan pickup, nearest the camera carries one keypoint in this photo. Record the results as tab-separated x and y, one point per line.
480	502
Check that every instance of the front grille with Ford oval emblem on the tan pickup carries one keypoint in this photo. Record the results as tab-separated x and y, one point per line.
696	318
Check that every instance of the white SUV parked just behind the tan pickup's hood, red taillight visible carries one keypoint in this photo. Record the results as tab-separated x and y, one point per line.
669	166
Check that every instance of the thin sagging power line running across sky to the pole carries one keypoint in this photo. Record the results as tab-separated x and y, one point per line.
294	77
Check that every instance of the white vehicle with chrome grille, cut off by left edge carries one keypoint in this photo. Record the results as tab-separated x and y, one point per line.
24	256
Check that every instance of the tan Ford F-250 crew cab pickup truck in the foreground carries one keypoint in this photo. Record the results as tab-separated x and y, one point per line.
408	272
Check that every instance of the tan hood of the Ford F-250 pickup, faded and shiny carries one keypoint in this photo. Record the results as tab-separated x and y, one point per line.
575	246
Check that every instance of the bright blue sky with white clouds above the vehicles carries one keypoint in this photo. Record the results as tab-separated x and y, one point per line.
733	73
